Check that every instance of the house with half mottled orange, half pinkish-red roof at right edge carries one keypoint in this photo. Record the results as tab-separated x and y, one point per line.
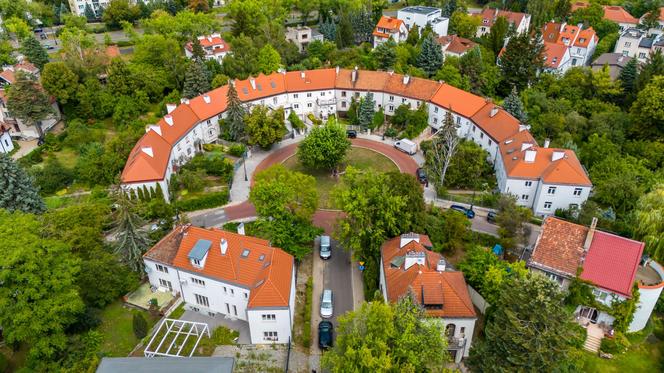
610	263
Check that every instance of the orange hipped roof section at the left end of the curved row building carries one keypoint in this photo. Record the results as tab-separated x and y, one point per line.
148	159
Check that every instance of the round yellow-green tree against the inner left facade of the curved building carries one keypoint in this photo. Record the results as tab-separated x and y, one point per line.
263	128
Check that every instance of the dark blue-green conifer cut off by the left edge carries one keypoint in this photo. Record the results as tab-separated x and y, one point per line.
17	191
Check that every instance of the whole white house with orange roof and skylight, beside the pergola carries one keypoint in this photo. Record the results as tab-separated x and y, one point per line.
223	273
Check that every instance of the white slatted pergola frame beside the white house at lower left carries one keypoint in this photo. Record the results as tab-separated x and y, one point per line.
176	333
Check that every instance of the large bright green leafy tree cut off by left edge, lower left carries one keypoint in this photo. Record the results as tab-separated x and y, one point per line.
38	297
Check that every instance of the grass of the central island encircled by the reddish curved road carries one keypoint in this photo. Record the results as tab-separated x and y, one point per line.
359	158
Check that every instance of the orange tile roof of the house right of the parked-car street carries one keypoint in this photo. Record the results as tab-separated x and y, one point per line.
427	284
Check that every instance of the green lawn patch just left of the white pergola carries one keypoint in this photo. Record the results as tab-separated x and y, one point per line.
117	330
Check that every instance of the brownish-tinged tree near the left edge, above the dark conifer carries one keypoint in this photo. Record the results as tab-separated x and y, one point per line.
27	101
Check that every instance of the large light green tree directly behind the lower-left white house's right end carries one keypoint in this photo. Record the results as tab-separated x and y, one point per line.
285	202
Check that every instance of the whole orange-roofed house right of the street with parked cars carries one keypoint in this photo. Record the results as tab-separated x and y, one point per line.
409	267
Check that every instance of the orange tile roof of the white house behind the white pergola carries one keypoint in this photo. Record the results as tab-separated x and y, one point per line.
267	271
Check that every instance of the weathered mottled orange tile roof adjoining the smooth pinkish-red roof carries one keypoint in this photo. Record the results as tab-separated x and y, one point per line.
559	247
